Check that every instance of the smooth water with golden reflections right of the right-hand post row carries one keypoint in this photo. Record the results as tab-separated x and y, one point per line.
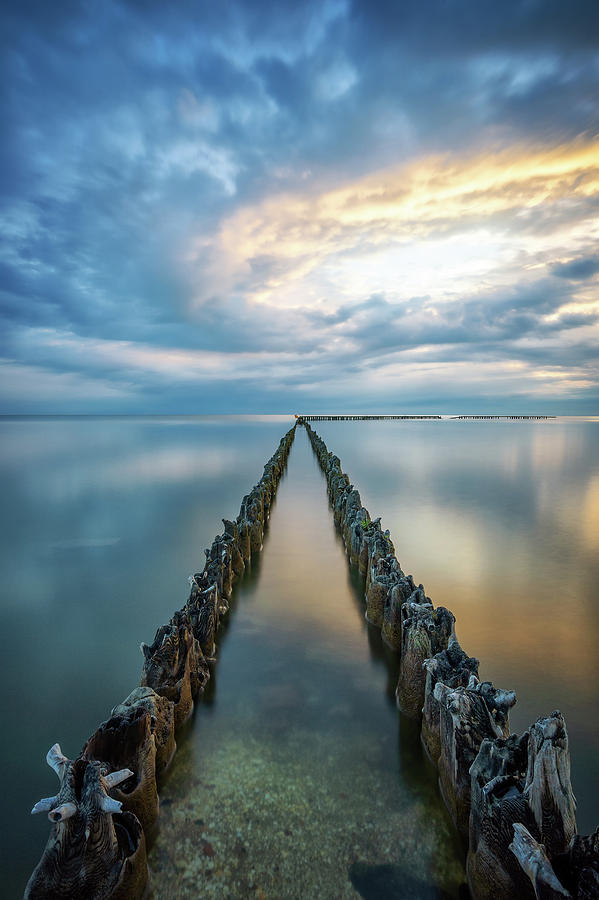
501	522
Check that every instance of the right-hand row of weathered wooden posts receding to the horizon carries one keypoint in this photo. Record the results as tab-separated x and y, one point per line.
509	795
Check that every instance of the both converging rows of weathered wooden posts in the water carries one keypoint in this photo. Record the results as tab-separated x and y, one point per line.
509	795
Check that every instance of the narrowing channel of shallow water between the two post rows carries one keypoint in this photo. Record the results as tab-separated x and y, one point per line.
295	780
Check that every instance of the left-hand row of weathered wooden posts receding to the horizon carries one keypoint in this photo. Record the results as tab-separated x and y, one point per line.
107	802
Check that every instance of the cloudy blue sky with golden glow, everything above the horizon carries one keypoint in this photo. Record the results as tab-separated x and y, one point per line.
333	206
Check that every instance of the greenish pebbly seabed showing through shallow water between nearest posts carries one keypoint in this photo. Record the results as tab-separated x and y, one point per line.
281	823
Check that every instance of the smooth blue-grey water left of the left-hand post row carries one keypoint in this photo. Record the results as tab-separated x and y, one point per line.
101	522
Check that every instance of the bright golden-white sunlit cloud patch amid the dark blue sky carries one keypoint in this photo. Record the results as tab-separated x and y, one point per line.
440	227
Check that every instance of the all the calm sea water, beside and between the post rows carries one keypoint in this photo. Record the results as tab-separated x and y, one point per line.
297	761
